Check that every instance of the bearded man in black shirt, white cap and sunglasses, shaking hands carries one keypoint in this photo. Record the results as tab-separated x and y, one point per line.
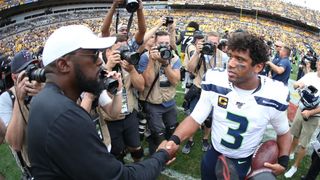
62	139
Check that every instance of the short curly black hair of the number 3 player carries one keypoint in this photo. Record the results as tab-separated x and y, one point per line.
243	41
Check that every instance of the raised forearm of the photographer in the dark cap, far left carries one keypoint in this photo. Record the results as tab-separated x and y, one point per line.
16	128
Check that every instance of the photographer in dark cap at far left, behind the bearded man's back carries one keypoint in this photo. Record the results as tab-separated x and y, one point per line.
14	109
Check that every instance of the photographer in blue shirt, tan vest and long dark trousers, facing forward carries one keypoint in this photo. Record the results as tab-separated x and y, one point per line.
160	68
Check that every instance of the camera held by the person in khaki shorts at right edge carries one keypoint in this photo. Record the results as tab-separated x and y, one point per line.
308	99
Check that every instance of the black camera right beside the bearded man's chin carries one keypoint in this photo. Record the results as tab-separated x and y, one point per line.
111	85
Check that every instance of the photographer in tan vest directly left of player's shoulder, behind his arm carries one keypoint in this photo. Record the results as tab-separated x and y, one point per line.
202	60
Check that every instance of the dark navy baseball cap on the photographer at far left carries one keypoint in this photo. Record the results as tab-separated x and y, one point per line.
21	60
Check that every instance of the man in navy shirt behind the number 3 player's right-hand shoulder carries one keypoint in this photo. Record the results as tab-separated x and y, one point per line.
281	69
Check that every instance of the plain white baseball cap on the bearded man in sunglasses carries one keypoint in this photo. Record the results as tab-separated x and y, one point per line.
70	38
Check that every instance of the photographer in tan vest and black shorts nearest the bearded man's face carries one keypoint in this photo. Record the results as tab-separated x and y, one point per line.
124	127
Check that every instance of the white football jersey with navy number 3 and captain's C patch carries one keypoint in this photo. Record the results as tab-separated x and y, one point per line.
240	117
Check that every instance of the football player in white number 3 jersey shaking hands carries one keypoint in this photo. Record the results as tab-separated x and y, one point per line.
243	104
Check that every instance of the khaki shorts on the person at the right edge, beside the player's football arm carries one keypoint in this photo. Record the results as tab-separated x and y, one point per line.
303	129
